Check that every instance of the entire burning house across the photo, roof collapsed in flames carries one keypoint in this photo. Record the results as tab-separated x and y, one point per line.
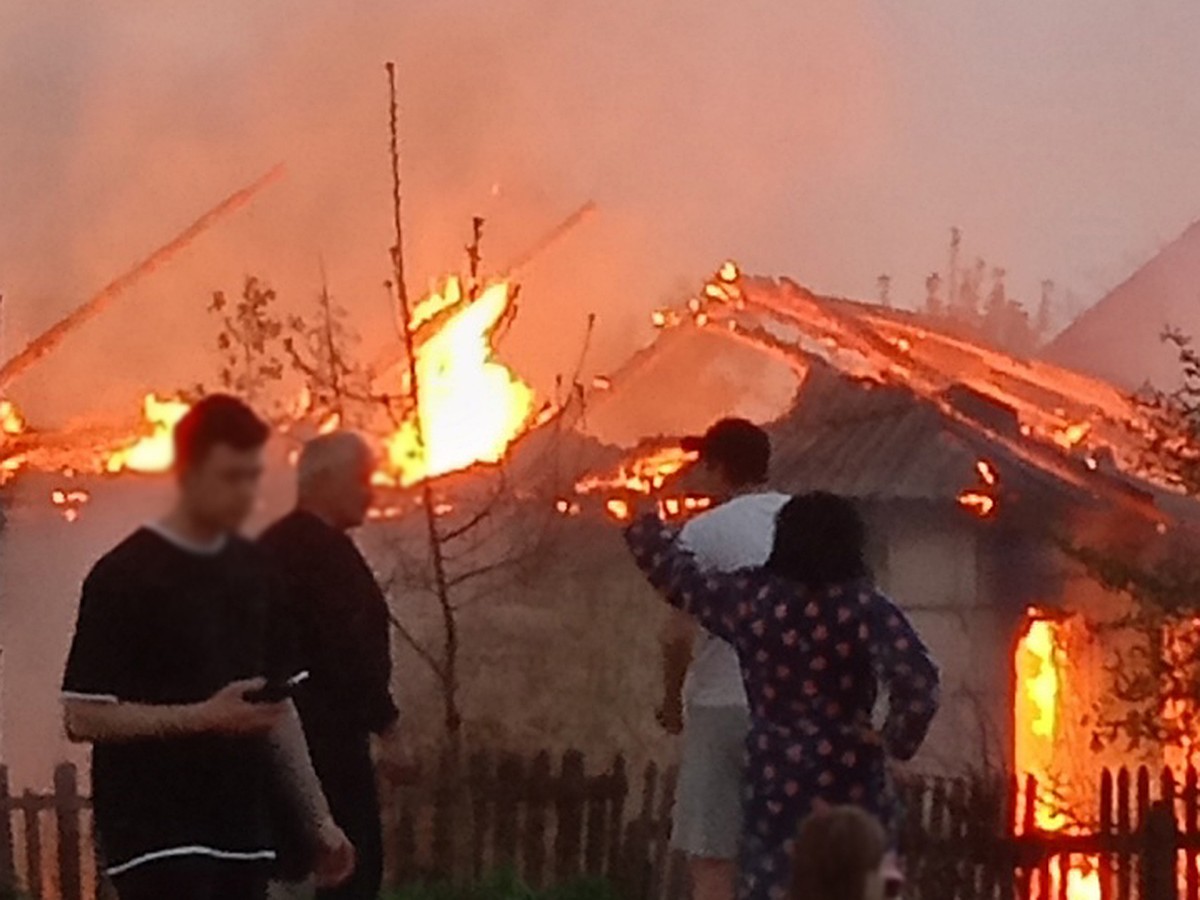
976	471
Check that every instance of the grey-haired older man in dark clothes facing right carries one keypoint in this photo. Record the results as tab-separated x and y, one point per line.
343	623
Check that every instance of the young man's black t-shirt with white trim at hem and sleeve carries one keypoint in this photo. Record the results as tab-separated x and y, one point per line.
163	625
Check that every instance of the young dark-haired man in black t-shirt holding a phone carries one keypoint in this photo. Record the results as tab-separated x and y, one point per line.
179	627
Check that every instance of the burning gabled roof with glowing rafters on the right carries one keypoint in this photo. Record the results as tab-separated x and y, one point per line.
893	410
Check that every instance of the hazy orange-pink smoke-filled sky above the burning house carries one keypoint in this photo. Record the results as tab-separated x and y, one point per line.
827	141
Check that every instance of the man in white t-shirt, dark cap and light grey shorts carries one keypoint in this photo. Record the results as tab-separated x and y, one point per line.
704	695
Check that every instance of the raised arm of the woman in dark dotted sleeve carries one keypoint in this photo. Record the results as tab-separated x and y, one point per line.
716	601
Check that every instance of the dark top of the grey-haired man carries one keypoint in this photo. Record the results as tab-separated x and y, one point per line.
343	632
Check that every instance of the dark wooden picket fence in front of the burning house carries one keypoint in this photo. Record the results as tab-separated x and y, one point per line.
550	821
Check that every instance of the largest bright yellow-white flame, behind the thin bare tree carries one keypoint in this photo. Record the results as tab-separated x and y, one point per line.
472	406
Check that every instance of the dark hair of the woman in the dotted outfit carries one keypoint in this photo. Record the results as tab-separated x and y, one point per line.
820	541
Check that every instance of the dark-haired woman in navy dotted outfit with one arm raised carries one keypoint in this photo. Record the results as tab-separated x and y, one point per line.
817	640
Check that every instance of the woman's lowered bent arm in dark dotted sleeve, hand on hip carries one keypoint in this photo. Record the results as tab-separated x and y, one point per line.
908	673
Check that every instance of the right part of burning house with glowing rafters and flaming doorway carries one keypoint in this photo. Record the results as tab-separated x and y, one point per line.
981	476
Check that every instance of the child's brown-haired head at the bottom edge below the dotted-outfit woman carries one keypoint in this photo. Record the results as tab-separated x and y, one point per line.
841	854
